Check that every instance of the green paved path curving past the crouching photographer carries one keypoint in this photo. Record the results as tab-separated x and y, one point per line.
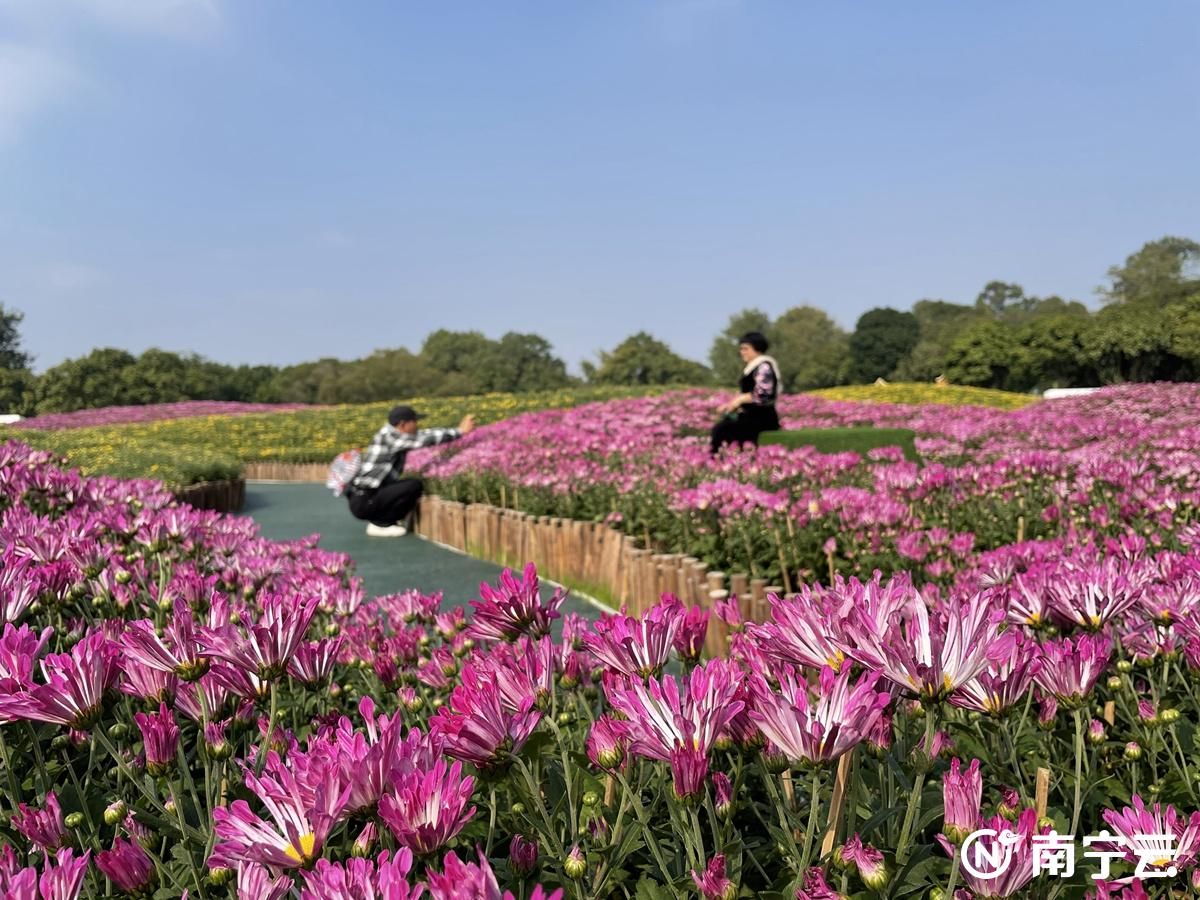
387	565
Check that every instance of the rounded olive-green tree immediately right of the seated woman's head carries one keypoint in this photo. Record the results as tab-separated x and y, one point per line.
811	349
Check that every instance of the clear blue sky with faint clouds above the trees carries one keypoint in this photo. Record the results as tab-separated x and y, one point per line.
262	181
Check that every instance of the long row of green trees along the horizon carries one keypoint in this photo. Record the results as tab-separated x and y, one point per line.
1148	328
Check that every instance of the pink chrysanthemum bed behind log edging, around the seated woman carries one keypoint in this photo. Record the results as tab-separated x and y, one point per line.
1121	460
